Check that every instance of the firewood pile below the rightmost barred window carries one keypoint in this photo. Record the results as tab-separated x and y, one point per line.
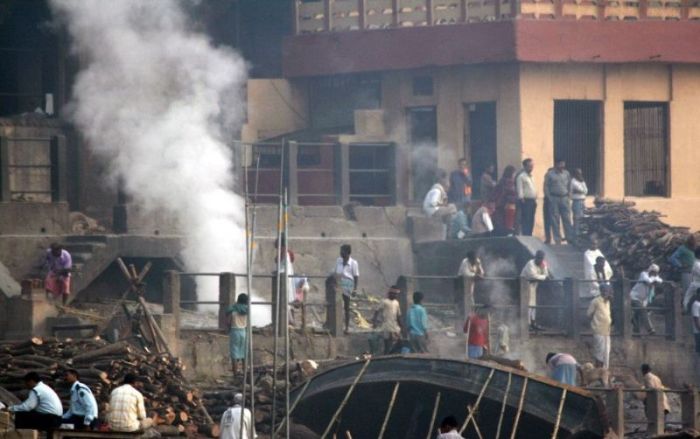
631	240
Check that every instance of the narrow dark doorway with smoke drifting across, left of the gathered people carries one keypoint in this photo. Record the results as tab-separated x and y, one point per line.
422	123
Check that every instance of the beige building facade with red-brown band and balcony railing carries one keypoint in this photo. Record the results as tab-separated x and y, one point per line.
609	87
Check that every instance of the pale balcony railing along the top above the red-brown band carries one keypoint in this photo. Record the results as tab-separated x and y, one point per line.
312	16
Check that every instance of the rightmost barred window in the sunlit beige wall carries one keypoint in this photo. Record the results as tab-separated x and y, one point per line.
646	149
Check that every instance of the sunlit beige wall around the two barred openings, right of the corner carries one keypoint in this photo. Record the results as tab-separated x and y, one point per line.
541	84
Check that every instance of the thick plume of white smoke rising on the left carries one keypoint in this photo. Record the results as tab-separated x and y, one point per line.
157	101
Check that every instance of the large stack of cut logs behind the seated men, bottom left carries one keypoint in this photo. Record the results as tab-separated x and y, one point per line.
170	401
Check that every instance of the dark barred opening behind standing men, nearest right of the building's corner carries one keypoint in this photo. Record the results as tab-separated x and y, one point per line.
577	138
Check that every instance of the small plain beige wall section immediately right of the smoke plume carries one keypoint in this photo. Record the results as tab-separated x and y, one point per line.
275	107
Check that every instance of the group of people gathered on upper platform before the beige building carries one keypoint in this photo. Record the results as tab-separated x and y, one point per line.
508	205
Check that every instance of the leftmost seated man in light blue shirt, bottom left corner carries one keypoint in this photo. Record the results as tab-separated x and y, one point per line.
41	410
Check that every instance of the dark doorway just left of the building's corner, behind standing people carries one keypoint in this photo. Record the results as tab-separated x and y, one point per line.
481	139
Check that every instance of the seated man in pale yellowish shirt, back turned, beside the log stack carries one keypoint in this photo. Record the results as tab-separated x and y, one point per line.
127	411
